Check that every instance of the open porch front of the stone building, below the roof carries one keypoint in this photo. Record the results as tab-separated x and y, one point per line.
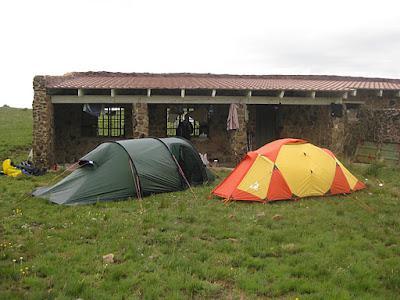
69	122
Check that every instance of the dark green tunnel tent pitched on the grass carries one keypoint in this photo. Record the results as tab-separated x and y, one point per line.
130	168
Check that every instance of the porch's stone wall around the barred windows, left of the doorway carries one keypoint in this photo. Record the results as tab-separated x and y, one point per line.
72	140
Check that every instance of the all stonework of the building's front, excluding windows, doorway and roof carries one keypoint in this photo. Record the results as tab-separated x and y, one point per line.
63	139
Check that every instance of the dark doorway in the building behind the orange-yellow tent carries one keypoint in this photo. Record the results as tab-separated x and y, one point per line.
266	124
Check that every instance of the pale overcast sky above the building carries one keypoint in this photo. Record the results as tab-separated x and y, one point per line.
49	37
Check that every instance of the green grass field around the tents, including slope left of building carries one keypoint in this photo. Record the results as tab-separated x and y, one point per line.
179	246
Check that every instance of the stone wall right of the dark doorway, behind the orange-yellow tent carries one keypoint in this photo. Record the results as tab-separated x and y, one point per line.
376	121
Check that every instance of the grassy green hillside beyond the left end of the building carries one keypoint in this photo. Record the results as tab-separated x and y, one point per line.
15	133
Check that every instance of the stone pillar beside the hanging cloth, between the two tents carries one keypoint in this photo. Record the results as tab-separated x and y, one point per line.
238	137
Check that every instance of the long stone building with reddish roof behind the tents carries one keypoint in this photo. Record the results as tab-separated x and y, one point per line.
75	112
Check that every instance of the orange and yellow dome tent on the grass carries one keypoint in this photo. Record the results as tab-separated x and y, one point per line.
287	169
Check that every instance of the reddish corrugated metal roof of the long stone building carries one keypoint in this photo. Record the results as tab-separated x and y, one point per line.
105	80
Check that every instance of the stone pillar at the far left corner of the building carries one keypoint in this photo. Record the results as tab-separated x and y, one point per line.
43	124
